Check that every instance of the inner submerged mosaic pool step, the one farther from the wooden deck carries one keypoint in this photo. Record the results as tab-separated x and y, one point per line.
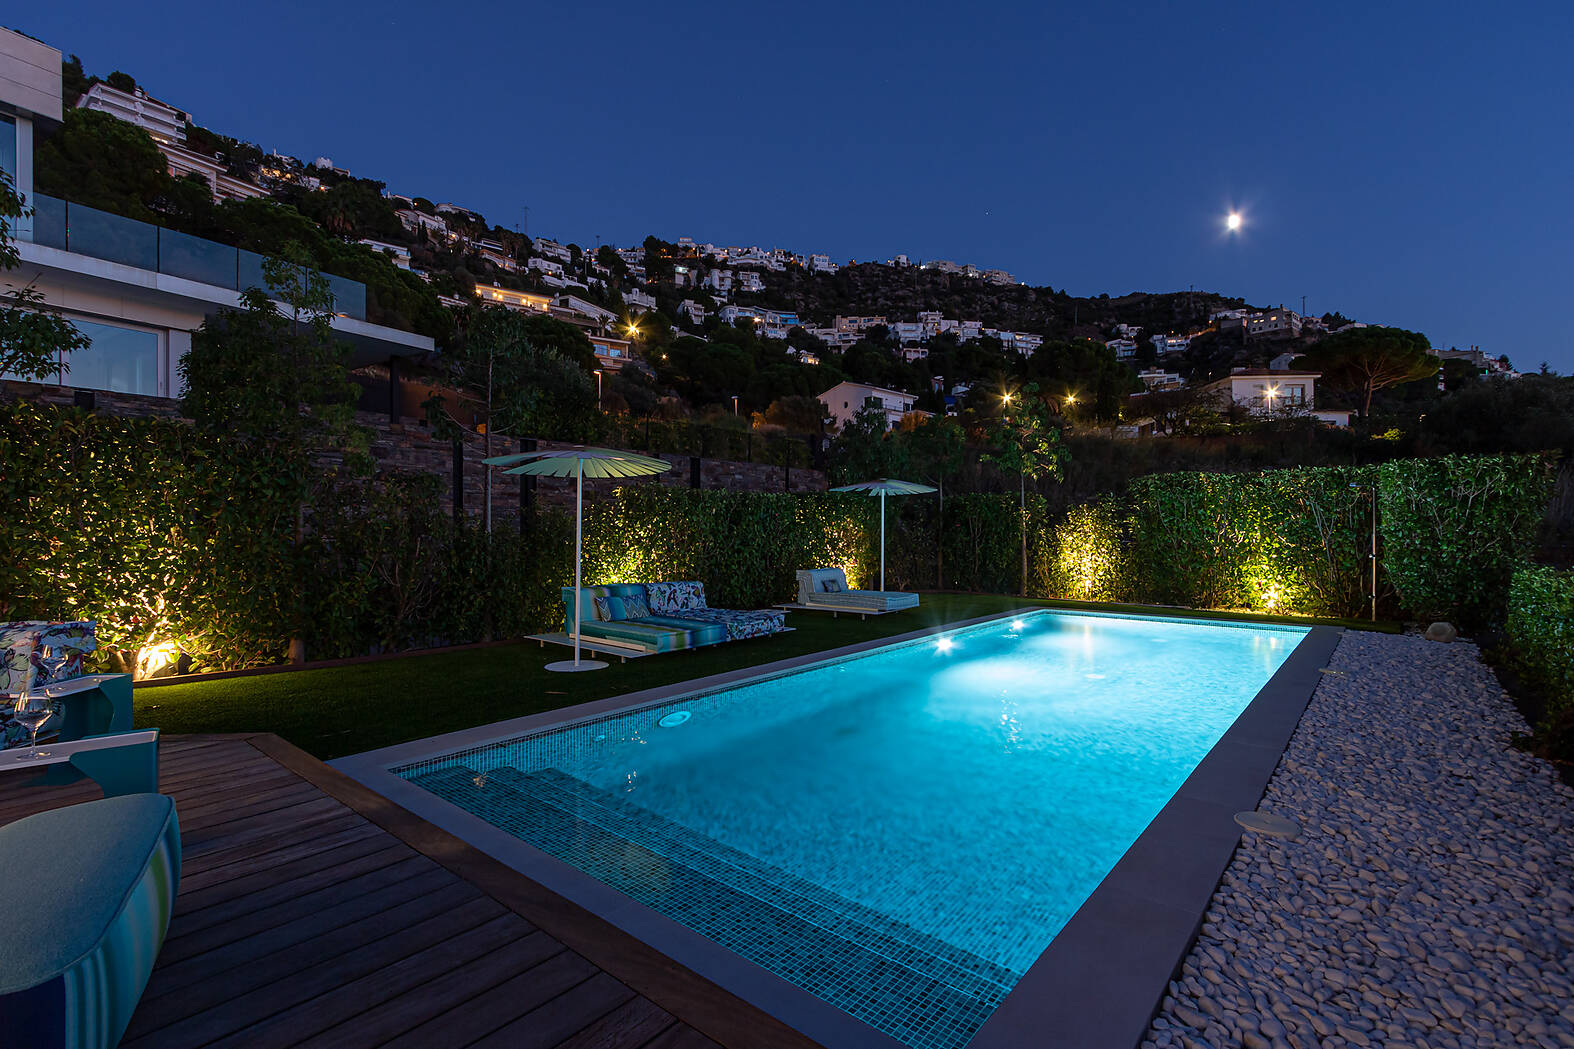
846	917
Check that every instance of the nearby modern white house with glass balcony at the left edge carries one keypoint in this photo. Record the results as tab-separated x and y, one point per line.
136	291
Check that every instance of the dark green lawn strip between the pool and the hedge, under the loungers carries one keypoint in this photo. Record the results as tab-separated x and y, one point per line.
338	711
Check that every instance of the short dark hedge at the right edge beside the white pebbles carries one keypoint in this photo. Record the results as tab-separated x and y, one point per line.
1542	634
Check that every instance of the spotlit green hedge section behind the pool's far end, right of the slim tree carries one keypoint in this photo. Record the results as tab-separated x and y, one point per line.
1299	541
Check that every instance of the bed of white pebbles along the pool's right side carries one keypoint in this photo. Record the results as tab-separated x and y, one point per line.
1430	897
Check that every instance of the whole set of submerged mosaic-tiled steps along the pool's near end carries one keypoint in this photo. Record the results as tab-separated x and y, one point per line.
889	984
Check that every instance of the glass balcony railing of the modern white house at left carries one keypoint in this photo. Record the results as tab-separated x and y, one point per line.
109	237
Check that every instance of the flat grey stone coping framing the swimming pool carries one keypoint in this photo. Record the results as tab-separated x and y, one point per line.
1099	982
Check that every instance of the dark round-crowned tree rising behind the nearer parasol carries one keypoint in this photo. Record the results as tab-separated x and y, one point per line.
523	388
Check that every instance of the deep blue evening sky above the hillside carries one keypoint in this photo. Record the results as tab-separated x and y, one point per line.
1403	163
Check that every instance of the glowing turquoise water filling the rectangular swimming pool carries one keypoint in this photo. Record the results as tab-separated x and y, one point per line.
901	832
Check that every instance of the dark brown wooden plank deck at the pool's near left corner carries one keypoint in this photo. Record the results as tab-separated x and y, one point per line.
314	913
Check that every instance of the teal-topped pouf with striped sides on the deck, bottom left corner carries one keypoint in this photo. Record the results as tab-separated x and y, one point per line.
76	960
